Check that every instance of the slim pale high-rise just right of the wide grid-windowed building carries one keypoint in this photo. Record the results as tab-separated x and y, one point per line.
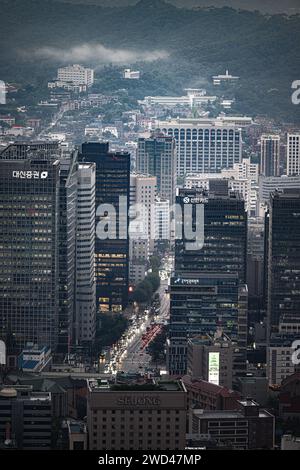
270	155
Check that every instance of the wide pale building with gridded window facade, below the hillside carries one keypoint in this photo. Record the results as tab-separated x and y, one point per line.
204	145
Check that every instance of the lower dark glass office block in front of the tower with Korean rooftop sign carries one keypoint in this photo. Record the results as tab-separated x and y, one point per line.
200	304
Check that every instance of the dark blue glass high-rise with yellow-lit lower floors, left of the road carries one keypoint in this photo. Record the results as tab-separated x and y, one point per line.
111	254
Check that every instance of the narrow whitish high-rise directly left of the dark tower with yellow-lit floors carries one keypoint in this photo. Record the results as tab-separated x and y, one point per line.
85	323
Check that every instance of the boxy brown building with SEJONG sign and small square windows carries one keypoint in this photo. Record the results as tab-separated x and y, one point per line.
147	415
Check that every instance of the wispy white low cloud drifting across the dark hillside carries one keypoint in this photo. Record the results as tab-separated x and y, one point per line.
97	53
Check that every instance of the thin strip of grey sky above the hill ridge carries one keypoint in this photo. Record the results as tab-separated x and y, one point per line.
272	6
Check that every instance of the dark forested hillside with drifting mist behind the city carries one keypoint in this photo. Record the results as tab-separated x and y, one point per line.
175	47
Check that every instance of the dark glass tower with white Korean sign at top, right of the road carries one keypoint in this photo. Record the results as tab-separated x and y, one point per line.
225	234
